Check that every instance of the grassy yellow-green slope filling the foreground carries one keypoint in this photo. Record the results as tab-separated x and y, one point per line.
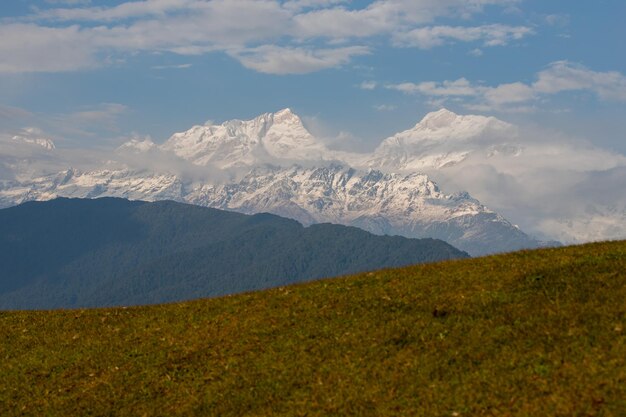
533	333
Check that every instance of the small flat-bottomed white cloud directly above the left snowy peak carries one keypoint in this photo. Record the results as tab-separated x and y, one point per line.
278	60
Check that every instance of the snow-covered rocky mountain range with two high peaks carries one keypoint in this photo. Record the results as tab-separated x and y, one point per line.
273	164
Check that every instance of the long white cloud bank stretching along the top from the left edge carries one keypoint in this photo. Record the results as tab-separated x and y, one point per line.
308	31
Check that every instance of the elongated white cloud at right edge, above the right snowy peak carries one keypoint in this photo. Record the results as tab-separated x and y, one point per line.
559	77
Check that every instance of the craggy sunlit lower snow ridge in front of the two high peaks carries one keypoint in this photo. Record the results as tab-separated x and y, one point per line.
338	194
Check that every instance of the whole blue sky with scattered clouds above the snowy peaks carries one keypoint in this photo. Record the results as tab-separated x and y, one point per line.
93	73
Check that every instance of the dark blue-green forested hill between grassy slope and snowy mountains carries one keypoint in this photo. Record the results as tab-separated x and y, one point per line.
109	251
